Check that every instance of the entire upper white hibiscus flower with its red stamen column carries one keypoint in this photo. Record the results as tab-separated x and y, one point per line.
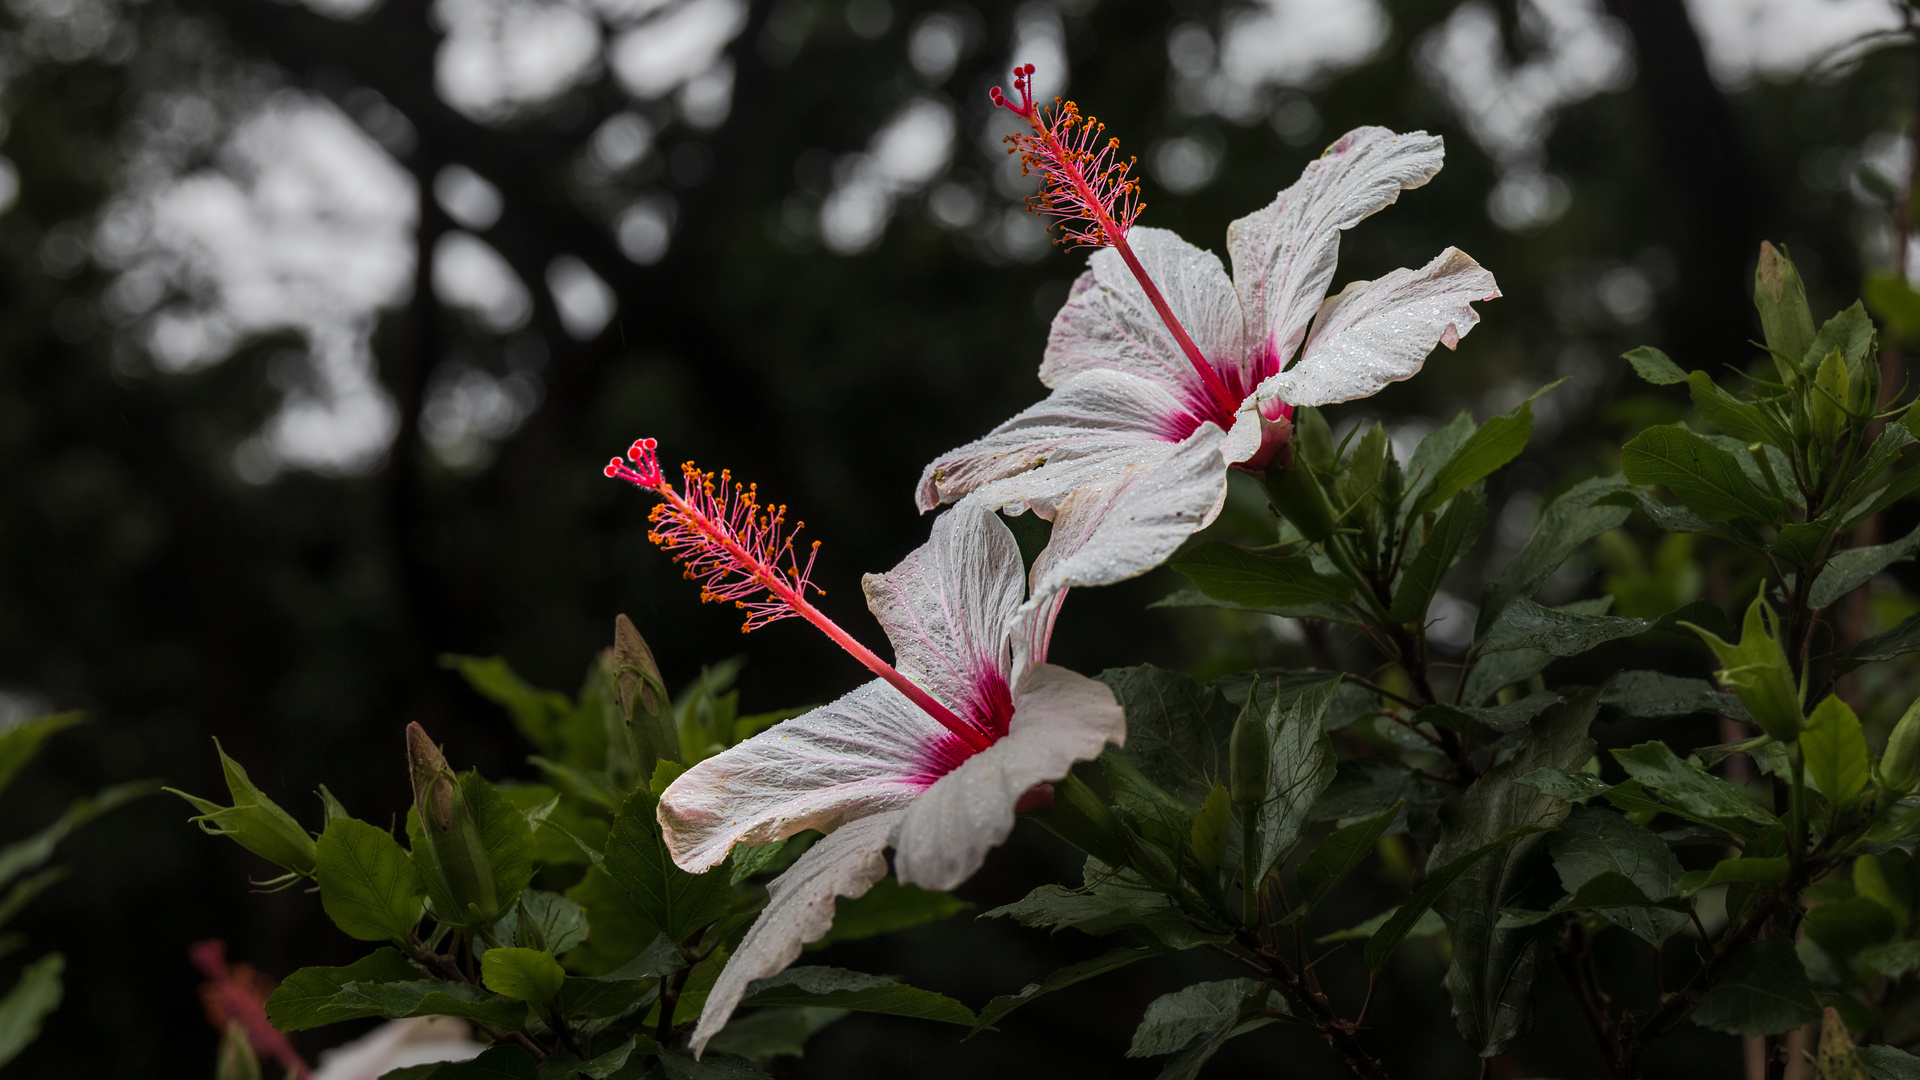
1164	372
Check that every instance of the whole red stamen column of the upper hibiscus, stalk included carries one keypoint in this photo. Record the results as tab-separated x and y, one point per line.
1086	182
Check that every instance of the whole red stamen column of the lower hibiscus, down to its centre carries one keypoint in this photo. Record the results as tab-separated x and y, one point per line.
742	551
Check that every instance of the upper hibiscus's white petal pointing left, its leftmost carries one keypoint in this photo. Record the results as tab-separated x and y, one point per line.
1084	433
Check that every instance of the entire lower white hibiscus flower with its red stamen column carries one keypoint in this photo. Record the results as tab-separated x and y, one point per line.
932	760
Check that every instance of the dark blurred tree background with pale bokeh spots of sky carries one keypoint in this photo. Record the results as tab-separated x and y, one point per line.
320	318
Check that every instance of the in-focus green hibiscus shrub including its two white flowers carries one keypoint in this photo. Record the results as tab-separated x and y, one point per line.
677	858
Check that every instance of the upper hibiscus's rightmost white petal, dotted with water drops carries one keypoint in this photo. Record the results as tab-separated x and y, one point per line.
1381	331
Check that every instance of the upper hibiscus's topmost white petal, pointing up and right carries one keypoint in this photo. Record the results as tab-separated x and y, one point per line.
1284	257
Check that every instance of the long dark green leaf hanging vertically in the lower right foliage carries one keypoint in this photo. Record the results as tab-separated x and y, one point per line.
1487	847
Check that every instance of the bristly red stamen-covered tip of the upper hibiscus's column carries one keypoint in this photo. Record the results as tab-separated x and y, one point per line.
1086	187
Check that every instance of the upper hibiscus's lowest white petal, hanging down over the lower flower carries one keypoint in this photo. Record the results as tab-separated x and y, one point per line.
1136	522
